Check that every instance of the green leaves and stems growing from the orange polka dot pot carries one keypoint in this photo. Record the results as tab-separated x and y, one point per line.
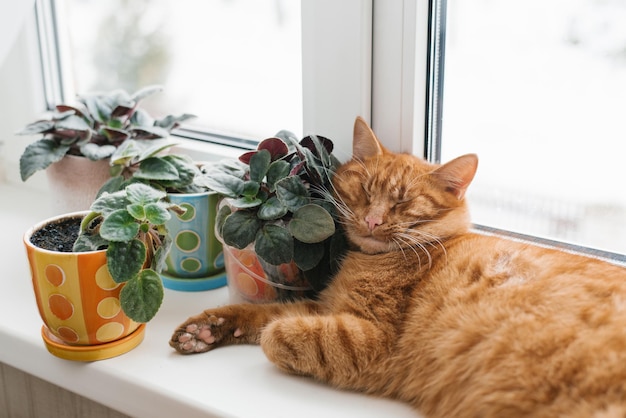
130	224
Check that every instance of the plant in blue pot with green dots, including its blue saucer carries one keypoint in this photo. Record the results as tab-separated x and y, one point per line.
195	261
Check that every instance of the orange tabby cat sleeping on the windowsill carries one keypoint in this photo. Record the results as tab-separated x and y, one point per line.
423	310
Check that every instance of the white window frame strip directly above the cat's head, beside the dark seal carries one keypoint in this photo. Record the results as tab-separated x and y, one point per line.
400	74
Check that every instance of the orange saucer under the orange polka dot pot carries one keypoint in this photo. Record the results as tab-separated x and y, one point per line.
92	352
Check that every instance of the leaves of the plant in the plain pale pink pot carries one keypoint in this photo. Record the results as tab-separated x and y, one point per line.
93	127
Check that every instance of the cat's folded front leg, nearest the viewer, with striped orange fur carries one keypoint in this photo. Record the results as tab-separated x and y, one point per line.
336	348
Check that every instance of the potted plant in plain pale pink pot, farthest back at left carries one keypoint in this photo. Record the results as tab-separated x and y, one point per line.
92	128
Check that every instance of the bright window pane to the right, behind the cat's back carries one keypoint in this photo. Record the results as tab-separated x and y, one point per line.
536	88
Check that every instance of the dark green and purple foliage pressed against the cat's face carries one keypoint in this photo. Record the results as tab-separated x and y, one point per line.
276	200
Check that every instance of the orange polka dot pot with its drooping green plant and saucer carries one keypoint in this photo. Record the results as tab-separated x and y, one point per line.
96	289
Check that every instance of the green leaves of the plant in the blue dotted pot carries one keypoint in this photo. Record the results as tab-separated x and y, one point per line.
143	162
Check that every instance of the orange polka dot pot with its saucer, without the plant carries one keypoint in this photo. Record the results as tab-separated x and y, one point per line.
78	302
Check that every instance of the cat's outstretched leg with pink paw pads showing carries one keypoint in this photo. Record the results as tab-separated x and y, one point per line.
232	324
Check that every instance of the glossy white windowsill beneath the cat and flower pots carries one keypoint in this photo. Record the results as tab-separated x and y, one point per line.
152	380
